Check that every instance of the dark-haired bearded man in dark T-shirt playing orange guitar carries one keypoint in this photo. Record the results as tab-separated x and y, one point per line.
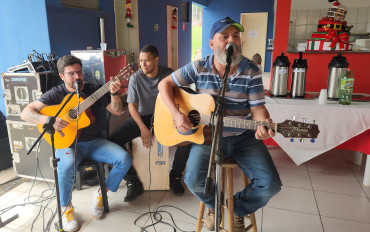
91	143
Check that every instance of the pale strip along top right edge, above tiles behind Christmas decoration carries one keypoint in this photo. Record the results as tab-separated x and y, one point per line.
323	4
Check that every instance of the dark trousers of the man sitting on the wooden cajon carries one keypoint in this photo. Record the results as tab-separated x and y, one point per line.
129	130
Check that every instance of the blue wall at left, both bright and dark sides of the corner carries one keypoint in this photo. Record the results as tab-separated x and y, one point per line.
46	26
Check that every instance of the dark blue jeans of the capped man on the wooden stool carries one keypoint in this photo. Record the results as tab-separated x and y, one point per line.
255	161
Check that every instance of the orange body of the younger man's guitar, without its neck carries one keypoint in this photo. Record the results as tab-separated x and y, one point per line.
65	137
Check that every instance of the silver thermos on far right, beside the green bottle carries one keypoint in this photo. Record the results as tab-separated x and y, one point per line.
337	67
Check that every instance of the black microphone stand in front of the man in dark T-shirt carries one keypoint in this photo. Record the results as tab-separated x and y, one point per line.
49	128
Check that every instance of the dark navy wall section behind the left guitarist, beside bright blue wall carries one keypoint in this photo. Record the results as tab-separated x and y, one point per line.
75	29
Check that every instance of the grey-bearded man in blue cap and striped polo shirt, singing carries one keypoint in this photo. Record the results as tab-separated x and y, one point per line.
244	98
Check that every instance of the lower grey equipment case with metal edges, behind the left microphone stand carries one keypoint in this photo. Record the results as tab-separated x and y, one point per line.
22	135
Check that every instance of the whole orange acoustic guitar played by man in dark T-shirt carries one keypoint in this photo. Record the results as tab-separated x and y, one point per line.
65	137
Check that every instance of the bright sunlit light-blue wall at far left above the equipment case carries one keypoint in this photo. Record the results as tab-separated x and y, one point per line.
23	27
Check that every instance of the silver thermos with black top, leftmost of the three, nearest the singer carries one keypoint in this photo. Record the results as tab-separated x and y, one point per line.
279	85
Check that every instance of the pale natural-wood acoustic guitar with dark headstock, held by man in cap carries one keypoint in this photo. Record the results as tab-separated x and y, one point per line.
199	107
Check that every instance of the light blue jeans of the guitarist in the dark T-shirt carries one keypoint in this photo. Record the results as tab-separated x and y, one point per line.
100	150
